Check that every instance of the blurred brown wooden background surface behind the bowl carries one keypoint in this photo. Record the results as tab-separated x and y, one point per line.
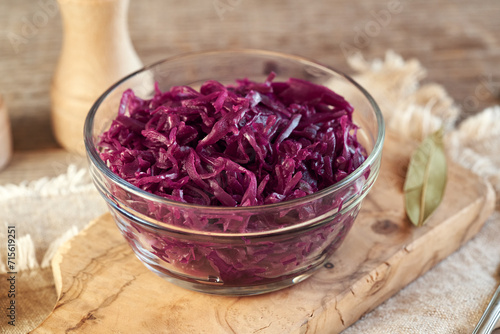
458	42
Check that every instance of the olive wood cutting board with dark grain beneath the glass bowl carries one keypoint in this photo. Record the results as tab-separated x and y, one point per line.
104	288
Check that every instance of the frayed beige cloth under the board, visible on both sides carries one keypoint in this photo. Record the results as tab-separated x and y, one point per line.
450	298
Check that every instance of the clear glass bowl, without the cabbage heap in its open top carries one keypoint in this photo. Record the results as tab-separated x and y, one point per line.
230	263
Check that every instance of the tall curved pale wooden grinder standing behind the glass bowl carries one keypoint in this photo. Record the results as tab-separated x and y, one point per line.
96	52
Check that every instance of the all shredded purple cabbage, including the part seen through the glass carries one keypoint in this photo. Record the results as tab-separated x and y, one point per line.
243	145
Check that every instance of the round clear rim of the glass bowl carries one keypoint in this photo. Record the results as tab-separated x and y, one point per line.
93	156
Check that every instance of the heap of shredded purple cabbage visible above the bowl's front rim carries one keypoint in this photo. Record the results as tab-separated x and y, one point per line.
246	144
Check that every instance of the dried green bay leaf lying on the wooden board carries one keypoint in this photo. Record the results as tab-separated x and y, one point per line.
425	179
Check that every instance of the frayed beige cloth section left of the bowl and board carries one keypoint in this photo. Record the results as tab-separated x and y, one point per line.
45	213
